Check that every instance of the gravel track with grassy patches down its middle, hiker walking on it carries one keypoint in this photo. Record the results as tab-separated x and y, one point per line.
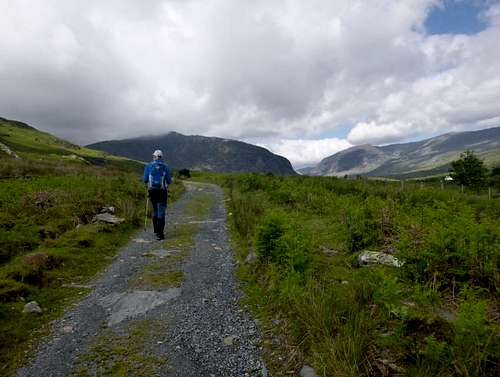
162	308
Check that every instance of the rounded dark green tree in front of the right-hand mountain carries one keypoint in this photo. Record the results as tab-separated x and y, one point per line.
469	170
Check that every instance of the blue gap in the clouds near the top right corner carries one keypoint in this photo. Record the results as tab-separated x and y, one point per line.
458	17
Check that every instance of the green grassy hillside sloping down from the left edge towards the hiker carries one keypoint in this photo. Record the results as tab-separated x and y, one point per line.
22	142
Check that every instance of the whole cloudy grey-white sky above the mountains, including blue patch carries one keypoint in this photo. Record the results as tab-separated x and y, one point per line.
303	78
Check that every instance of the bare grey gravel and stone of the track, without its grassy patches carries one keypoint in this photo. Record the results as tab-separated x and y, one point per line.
207	332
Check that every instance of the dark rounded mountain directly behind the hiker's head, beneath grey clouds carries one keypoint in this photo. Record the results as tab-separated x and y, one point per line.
200	153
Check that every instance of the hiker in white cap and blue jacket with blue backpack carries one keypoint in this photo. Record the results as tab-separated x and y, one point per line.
158	176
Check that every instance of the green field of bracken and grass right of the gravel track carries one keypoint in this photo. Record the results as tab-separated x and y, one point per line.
437	315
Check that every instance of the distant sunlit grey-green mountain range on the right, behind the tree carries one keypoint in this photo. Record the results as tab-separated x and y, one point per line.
417	159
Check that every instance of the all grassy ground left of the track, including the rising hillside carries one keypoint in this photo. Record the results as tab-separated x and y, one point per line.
47	239
